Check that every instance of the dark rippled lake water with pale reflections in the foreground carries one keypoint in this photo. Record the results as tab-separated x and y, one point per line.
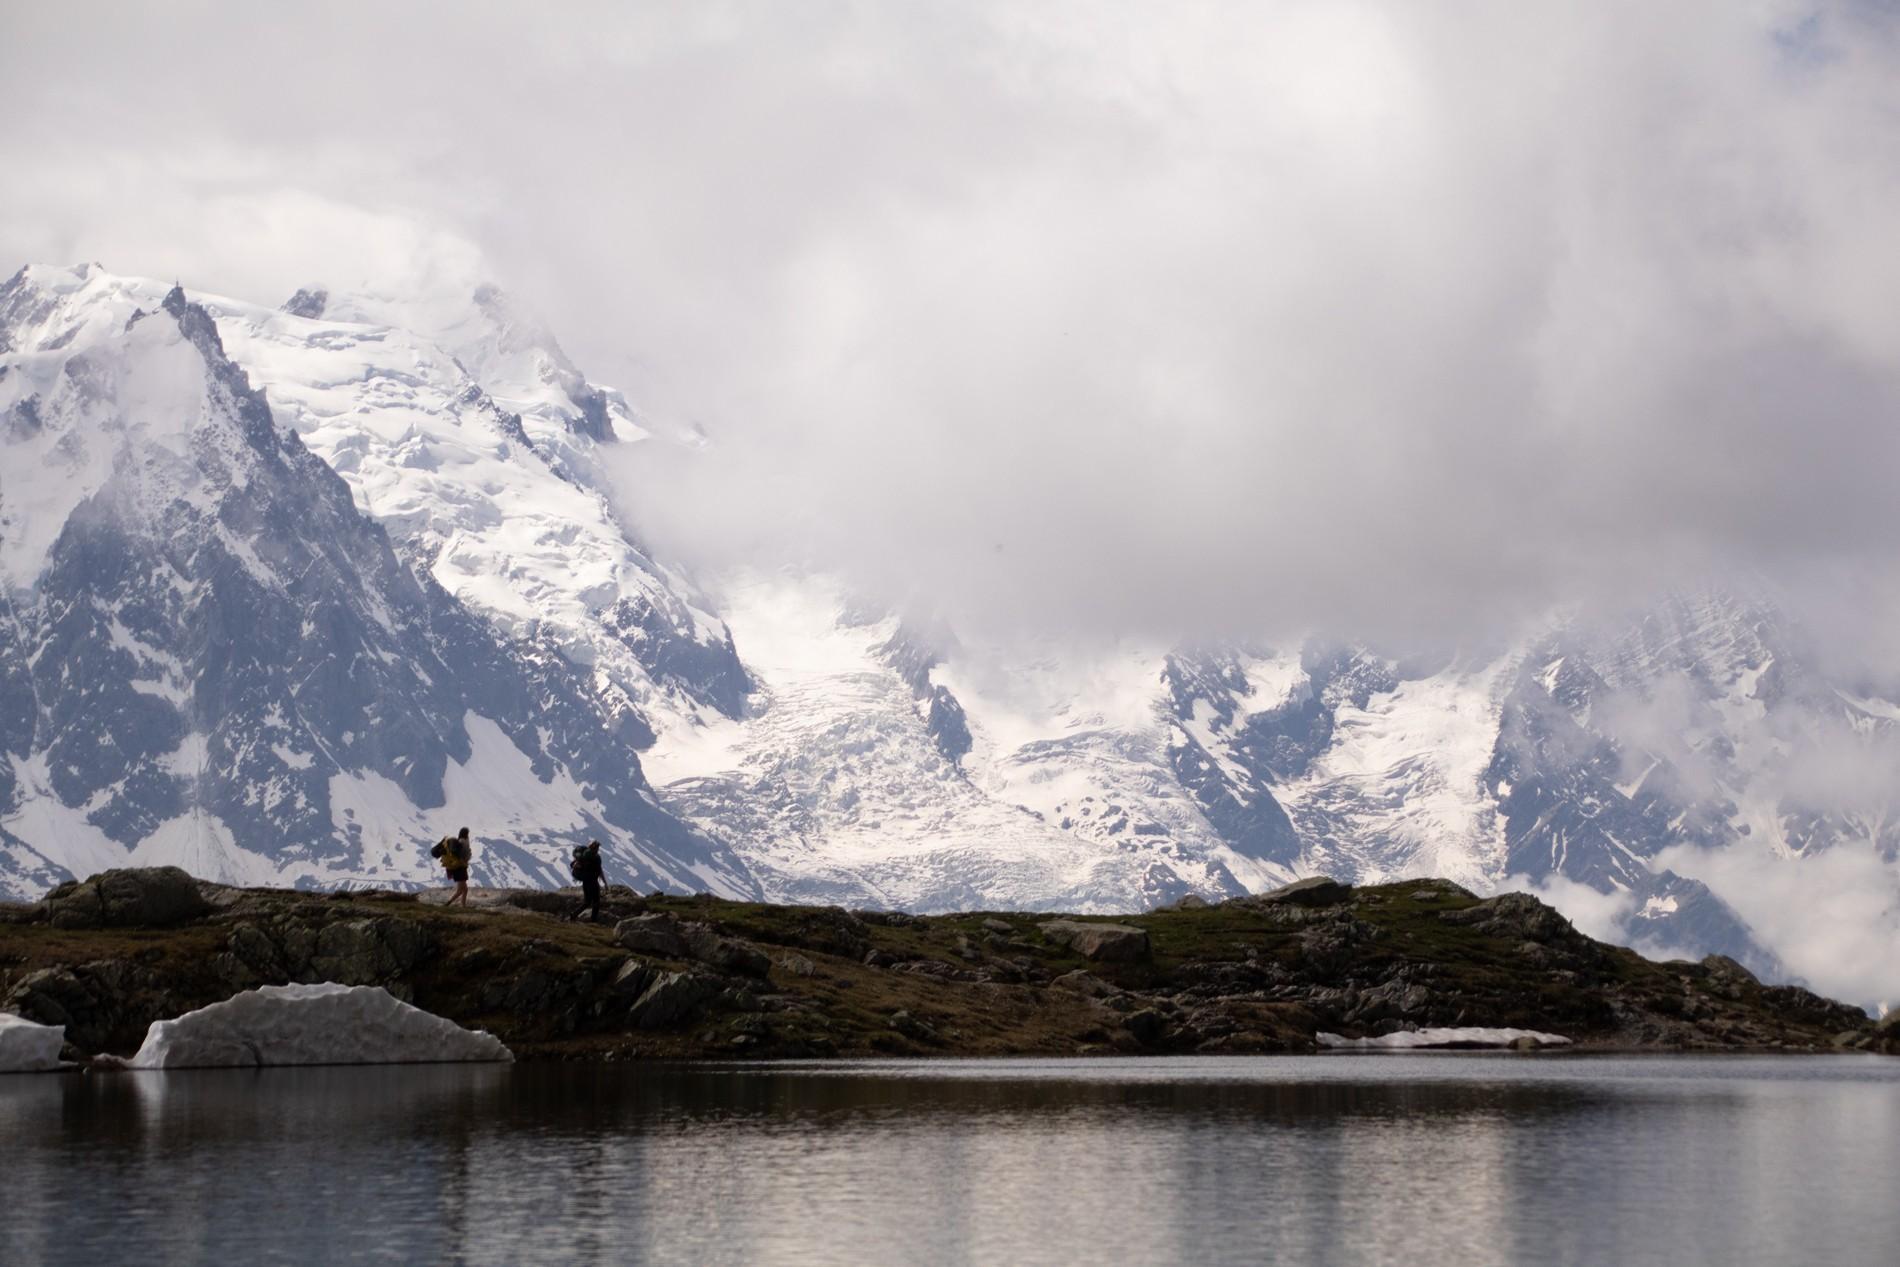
1415	1160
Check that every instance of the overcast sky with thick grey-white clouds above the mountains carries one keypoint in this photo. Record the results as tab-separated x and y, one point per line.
1116	318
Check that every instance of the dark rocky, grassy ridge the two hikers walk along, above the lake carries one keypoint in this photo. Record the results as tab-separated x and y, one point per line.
704	977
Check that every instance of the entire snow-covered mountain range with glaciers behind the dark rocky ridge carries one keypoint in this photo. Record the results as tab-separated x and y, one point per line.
290	592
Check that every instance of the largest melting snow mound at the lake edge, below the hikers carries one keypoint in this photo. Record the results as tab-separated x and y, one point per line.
311	1025
